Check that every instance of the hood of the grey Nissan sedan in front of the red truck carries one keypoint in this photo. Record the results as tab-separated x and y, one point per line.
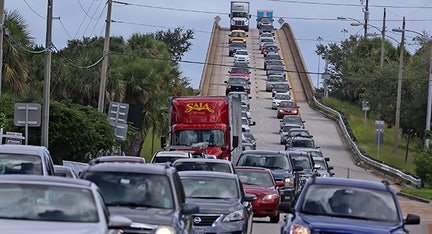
215	206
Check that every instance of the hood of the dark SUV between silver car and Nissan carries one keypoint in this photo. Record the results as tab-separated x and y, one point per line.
145	215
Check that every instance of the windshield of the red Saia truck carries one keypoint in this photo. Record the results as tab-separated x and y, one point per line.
188	137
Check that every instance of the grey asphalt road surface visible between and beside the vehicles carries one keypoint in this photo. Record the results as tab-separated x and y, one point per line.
324	130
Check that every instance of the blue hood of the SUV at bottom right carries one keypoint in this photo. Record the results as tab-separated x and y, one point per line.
324	224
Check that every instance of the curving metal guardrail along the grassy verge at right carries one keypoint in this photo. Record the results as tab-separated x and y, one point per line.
416	181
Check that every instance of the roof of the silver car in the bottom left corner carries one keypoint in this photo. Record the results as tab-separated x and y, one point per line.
62	181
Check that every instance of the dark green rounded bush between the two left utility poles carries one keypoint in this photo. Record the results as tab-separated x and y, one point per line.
78	133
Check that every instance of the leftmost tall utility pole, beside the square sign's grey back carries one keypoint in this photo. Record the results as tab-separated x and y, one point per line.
47	78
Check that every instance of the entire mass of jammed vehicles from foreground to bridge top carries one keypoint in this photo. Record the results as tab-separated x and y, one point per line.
212	174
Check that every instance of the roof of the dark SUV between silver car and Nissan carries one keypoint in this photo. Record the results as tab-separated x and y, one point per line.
151	168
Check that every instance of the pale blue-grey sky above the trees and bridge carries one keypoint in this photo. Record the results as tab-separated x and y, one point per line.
312	21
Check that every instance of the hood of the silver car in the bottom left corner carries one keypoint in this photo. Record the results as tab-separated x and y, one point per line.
40	227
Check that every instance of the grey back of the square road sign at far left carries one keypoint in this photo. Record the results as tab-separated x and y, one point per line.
27	114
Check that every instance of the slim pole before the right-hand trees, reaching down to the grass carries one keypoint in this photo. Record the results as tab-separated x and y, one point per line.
399	91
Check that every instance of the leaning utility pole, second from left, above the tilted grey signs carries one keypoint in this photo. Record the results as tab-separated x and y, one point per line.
101	101
